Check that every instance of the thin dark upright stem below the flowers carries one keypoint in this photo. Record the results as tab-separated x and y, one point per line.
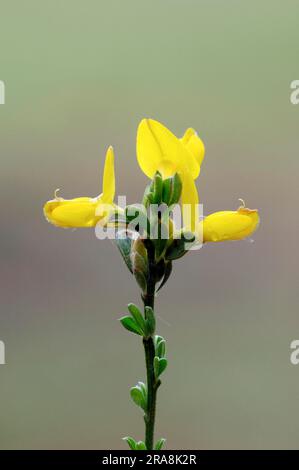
149	349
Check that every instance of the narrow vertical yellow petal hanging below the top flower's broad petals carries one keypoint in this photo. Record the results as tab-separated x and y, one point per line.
189	201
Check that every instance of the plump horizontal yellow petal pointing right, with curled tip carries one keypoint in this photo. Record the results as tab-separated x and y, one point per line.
230	225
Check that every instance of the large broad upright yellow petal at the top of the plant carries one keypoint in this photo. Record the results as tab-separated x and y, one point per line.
158	149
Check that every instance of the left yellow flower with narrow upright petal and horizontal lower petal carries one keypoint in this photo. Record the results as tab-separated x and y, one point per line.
85	211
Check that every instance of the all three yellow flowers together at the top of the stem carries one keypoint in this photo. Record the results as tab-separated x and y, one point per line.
158	149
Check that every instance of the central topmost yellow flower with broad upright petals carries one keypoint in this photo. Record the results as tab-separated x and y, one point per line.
158	149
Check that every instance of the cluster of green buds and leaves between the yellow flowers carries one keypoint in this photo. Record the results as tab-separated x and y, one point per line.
153	231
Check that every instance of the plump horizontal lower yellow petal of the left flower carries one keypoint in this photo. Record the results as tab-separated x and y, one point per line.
72	213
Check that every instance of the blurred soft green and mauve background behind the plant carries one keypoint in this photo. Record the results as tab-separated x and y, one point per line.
79	76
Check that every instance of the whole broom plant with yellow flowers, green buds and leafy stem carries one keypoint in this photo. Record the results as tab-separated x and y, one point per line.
150	237
